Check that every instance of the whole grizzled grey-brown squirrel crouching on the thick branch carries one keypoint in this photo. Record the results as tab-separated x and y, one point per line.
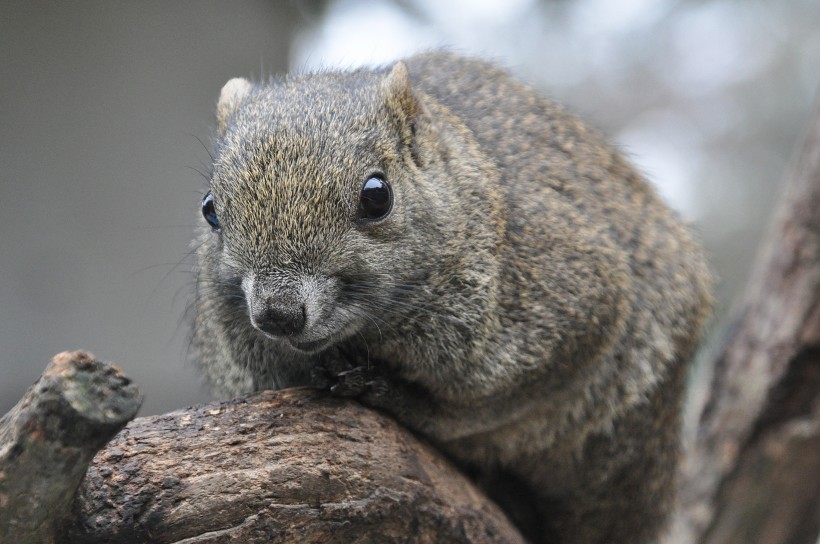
438	240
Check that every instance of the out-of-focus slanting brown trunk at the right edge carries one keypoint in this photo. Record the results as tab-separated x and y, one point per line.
752	475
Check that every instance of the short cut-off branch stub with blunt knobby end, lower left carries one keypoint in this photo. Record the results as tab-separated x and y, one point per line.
48	439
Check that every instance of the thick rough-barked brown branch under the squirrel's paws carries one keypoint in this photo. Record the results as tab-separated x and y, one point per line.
288	466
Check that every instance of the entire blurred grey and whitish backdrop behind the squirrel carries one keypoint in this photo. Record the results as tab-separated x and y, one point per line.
106	110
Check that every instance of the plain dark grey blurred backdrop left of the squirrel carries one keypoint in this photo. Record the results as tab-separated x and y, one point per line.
103	106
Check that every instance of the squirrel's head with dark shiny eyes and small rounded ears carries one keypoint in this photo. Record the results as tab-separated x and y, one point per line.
336	198
